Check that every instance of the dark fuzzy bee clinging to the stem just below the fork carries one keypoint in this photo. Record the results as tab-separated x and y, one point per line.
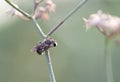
43	46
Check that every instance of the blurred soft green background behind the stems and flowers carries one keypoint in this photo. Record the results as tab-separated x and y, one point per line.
79	56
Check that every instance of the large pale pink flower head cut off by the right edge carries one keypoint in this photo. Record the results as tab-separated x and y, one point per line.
107	24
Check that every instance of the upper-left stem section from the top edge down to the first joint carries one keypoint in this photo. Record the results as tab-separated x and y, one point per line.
18	9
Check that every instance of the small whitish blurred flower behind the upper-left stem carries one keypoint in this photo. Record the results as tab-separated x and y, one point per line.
14	12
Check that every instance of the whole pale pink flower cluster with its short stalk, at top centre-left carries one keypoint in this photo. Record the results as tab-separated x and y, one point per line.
42	12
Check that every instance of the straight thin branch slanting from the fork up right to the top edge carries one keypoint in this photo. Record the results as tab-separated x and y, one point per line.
66	17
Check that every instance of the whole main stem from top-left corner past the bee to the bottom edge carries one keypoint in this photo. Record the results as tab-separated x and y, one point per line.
48	59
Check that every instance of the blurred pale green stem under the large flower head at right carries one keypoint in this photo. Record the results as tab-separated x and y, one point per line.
108	60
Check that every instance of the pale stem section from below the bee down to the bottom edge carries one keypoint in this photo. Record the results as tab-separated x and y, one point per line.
50	69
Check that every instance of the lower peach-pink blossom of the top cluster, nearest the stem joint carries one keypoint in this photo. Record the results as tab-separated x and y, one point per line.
40	12
